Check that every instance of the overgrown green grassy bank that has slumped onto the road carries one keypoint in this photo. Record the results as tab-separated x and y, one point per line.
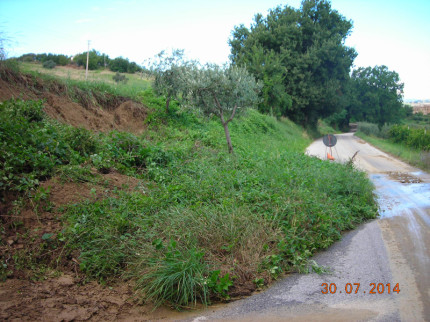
184	221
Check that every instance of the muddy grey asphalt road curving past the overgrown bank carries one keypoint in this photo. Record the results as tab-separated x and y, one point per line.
379	255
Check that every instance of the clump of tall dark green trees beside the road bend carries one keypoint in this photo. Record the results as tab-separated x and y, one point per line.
300	57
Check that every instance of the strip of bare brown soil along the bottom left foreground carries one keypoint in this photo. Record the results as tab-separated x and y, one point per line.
66	299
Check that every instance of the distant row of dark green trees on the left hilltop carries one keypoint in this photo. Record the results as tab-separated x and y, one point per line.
96	61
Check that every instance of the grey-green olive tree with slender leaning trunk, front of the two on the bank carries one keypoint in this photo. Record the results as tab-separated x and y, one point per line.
222	91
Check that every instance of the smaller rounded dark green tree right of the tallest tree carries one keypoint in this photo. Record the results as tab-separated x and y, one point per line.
376	96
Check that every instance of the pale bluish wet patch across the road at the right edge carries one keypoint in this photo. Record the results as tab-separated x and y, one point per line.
399	192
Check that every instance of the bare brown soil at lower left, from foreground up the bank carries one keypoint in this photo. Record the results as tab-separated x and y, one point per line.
60	293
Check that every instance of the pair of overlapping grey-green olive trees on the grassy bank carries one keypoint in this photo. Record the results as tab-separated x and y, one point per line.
214	90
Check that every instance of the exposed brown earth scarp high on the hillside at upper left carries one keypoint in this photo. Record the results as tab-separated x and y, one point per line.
93	110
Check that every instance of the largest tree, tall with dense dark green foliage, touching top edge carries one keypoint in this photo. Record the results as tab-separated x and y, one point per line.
300	56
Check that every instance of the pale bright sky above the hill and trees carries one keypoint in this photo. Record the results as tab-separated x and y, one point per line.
395	33
